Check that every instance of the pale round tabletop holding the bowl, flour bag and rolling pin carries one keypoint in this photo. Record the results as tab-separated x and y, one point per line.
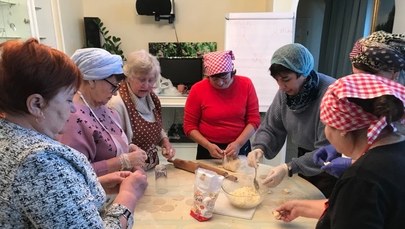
172	209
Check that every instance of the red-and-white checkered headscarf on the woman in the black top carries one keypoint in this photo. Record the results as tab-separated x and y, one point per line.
340	113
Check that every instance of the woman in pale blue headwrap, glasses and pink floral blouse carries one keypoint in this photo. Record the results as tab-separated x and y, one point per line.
94	129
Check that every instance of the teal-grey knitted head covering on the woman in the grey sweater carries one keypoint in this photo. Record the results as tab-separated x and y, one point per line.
294	57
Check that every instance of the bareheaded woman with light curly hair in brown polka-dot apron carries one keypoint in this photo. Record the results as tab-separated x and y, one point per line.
140	109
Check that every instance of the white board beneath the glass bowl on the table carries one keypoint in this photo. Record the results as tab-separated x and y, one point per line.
224	207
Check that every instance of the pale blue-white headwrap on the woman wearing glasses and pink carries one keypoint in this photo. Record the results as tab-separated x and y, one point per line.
96	63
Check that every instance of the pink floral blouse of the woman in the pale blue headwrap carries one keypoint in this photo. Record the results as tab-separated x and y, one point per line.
85	134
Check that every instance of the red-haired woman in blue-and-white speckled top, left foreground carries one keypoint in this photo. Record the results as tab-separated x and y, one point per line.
43	183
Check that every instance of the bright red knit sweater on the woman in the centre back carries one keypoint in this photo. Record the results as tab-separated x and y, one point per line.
221	114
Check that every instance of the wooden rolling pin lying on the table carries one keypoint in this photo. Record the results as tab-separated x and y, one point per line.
191	166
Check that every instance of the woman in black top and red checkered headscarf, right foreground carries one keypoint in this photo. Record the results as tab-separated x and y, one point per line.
358	111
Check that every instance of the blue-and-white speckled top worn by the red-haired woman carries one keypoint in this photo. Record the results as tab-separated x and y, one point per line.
45	184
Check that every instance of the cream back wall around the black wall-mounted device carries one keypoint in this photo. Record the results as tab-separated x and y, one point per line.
196	20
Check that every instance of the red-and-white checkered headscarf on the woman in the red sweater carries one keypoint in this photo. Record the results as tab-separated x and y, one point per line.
218	62
